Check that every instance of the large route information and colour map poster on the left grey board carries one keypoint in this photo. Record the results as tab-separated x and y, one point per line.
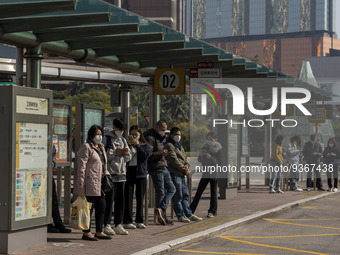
31	171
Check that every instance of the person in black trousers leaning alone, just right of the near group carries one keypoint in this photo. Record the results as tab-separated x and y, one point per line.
209	155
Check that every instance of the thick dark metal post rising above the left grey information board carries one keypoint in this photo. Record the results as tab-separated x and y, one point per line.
33	67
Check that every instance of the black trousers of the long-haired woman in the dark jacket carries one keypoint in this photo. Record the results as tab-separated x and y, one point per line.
131	180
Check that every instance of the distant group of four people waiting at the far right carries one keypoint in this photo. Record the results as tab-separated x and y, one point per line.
317	160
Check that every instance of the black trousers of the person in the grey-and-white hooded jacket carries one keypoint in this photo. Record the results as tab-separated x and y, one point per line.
116	195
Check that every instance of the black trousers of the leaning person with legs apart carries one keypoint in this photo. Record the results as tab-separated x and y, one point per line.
213	195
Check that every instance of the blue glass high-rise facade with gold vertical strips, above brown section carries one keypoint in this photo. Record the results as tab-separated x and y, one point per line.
257	17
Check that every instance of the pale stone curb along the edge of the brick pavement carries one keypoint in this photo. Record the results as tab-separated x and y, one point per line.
212	232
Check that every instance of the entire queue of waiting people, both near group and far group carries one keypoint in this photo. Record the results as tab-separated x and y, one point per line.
127	162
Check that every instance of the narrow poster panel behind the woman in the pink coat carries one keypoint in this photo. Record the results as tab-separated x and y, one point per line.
60	132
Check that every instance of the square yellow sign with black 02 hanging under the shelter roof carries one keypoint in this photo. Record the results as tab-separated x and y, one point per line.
169	81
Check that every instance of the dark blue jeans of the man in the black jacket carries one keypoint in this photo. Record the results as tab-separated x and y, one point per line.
164	188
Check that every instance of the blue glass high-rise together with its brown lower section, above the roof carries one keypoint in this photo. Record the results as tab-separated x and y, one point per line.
279	34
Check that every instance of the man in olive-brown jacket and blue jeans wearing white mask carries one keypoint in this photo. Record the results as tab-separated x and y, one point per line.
179	168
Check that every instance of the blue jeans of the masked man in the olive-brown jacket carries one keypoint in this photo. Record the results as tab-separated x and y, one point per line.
181	197
